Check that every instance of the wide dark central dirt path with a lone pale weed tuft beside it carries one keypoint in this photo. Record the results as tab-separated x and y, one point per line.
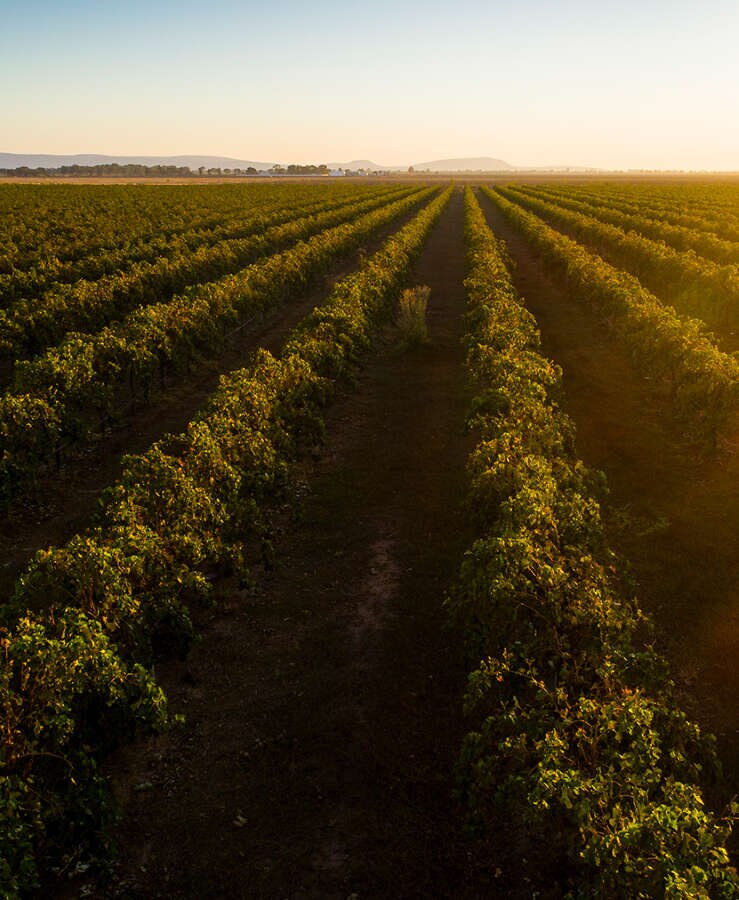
324	709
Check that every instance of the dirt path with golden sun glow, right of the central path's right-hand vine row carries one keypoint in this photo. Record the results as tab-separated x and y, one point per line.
678	511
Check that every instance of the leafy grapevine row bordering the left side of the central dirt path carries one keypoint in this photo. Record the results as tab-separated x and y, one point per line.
75	681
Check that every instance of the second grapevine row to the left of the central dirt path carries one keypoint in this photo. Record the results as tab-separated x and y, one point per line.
61	393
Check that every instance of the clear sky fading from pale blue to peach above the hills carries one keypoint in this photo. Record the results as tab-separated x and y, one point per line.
633	84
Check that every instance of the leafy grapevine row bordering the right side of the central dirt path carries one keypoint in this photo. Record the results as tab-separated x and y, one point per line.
575	727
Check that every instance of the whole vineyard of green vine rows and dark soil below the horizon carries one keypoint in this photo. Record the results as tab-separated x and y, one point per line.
304	598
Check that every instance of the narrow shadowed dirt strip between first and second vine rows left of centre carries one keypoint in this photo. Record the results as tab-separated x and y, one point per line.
65	500
